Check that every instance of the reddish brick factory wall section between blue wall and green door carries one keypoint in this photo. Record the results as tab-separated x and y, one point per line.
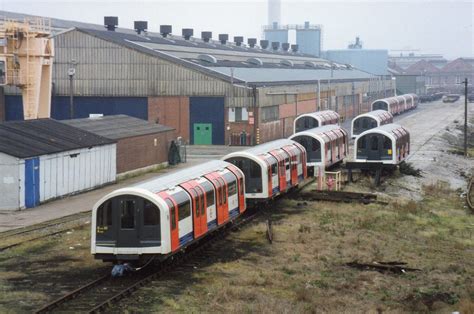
171	111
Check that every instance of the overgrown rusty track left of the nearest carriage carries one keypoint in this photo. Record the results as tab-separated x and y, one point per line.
56	226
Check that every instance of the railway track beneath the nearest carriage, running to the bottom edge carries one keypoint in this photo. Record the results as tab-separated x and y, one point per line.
100	293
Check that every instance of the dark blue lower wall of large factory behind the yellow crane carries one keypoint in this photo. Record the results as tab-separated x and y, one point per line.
83	106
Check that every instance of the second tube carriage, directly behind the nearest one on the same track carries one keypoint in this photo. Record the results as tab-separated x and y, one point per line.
271	168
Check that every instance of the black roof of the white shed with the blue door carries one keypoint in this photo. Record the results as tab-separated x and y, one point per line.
32	138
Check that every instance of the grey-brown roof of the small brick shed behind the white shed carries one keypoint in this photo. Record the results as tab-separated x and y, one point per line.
117	126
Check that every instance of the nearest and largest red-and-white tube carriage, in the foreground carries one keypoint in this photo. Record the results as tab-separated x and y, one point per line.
165	214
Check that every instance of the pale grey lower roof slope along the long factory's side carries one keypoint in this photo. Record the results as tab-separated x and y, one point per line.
256	75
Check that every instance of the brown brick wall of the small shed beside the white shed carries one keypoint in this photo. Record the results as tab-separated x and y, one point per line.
140	151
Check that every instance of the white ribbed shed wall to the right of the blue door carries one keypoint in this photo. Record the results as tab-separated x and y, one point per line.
76	170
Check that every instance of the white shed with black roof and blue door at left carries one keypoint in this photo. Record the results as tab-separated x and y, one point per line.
44	159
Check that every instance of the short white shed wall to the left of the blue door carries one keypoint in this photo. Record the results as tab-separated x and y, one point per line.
11	182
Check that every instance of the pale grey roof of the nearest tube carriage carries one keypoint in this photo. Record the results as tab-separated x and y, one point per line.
170	180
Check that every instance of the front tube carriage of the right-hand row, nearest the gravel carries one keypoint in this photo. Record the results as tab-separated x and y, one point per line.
389	144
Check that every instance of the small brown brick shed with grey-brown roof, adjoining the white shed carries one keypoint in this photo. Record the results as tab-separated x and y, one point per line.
140	144
